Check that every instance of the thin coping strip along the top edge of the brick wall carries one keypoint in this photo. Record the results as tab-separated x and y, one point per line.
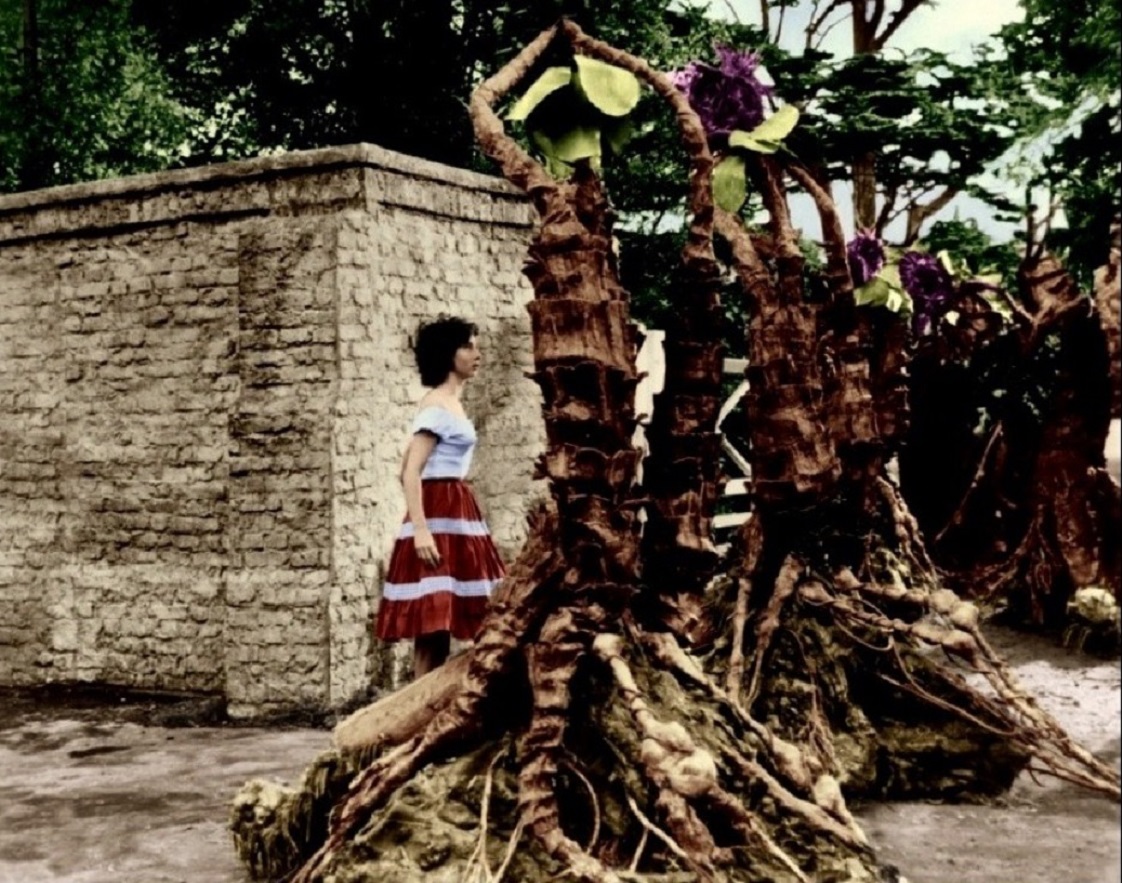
356	155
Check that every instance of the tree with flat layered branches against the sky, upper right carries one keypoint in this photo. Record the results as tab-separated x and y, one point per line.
911	132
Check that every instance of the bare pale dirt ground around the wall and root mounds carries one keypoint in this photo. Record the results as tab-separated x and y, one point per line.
124	793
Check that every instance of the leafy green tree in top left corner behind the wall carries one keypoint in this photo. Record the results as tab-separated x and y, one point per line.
81	96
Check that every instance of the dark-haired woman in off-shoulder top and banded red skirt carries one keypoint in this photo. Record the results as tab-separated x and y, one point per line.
445	564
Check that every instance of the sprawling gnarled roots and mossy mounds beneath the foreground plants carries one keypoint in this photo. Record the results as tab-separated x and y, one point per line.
620	756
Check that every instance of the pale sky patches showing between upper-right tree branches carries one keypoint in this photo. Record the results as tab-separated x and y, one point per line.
951	26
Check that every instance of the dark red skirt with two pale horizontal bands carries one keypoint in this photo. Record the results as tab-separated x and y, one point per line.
419	600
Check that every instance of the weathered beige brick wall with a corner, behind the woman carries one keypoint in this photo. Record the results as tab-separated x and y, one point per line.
205	392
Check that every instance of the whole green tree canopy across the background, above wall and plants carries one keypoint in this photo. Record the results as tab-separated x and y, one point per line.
100	89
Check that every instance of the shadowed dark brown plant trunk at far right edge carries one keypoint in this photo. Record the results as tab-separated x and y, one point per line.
1027	514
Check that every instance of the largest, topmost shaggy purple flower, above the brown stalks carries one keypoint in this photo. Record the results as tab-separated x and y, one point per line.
728	97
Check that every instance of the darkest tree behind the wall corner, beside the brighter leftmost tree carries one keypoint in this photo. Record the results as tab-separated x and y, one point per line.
301	73
